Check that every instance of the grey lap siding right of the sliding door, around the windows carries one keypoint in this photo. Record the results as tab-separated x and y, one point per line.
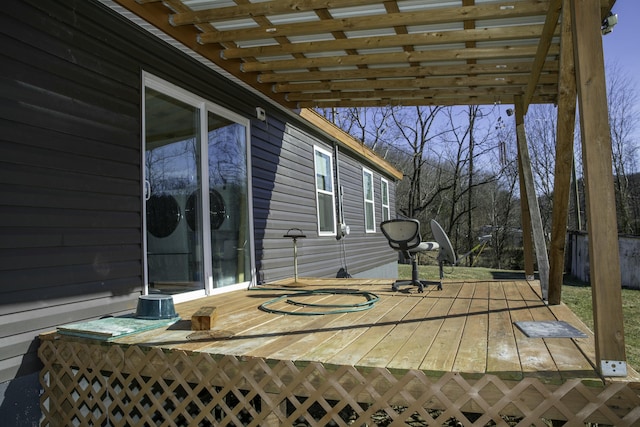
290	202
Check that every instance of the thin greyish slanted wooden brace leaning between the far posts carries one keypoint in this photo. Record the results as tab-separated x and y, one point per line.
532	200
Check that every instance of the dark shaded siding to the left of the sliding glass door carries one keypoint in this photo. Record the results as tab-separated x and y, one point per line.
70	206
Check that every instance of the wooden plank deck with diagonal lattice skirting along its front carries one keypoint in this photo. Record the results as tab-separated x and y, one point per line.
456	351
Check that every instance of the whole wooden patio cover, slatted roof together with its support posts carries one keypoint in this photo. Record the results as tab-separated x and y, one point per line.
366	53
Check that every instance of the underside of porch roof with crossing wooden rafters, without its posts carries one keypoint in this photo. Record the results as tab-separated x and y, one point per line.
481	50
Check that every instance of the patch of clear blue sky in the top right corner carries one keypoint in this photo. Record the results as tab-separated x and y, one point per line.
622	44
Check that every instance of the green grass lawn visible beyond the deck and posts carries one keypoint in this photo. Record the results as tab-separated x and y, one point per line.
576	295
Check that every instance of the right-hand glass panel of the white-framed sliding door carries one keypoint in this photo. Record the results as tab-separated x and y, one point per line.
228	213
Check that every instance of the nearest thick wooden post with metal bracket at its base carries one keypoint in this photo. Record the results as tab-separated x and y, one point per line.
604	259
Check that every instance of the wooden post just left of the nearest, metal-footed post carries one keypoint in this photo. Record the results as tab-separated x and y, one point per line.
564	158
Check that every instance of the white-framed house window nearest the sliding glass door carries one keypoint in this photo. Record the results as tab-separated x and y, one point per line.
325	200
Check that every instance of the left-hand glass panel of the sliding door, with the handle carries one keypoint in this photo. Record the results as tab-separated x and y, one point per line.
173	185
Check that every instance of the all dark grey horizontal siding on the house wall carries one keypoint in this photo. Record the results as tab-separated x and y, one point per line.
70	172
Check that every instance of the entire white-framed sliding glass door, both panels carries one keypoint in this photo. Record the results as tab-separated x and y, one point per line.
196	194
